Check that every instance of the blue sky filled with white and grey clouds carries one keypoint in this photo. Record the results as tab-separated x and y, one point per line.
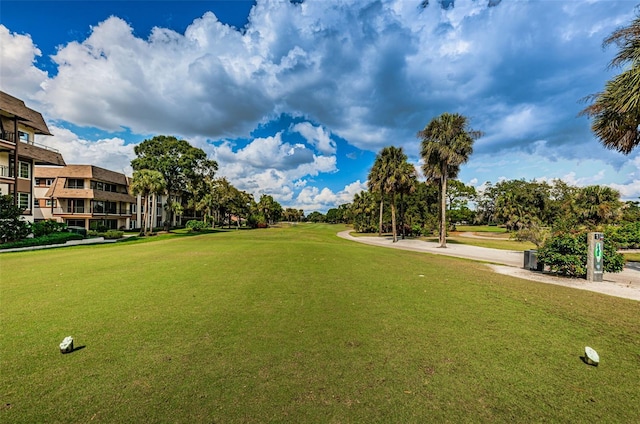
294	99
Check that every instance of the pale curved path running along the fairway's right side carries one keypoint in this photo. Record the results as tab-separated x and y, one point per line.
625	284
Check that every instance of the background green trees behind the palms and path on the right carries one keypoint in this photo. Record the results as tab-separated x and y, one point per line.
518	205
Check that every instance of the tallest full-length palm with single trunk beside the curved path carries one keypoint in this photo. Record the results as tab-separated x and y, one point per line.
447	143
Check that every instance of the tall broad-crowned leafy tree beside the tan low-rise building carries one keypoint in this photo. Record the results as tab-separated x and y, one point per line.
182	165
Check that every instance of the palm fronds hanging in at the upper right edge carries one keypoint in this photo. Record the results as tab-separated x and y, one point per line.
616	110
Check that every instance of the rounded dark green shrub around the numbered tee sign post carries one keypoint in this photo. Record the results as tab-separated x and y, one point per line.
566	254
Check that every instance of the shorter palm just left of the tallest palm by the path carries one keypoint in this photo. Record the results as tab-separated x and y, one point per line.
391	174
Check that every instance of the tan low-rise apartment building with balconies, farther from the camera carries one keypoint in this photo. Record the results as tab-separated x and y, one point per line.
84	196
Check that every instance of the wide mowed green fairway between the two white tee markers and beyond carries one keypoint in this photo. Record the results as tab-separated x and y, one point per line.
296	325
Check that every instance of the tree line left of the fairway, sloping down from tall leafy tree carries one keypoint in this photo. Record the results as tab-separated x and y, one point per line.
168	166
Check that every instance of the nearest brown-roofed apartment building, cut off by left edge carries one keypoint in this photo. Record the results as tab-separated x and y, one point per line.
19	153
